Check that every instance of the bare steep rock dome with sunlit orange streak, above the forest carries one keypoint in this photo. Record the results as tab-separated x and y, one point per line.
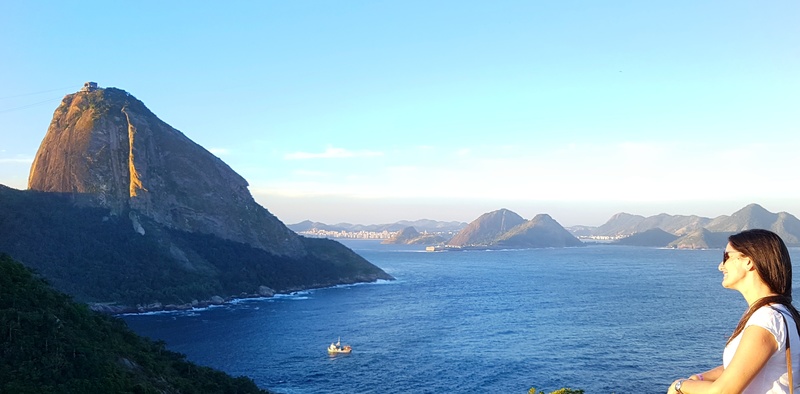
107	147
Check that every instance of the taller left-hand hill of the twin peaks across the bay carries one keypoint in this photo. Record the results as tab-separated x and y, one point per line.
486	228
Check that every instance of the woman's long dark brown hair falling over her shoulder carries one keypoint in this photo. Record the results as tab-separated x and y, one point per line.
773	263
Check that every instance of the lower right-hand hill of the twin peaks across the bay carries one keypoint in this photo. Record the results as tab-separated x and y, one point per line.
540	232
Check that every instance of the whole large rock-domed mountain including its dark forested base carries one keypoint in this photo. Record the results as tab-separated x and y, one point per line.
123	208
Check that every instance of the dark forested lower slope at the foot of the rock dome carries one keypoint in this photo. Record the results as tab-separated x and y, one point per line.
98	257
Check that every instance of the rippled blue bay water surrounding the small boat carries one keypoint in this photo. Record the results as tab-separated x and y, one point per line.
605	319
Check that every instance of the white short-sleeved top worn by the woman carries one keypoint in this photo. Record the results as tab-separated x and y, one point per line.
773	378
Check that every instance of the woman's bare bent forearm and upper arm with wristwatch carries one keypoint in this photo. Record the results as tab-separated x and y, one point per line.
755	349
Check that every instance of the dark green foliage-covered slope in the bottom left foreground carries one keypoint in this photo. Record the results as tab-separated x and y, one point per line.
50	344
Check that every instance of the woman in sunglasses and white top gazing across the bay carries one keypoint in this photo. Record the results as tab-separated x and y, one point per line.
757	264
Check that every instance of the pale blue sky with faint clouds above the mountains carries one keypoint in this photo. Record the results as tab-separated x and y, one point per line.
379	111
